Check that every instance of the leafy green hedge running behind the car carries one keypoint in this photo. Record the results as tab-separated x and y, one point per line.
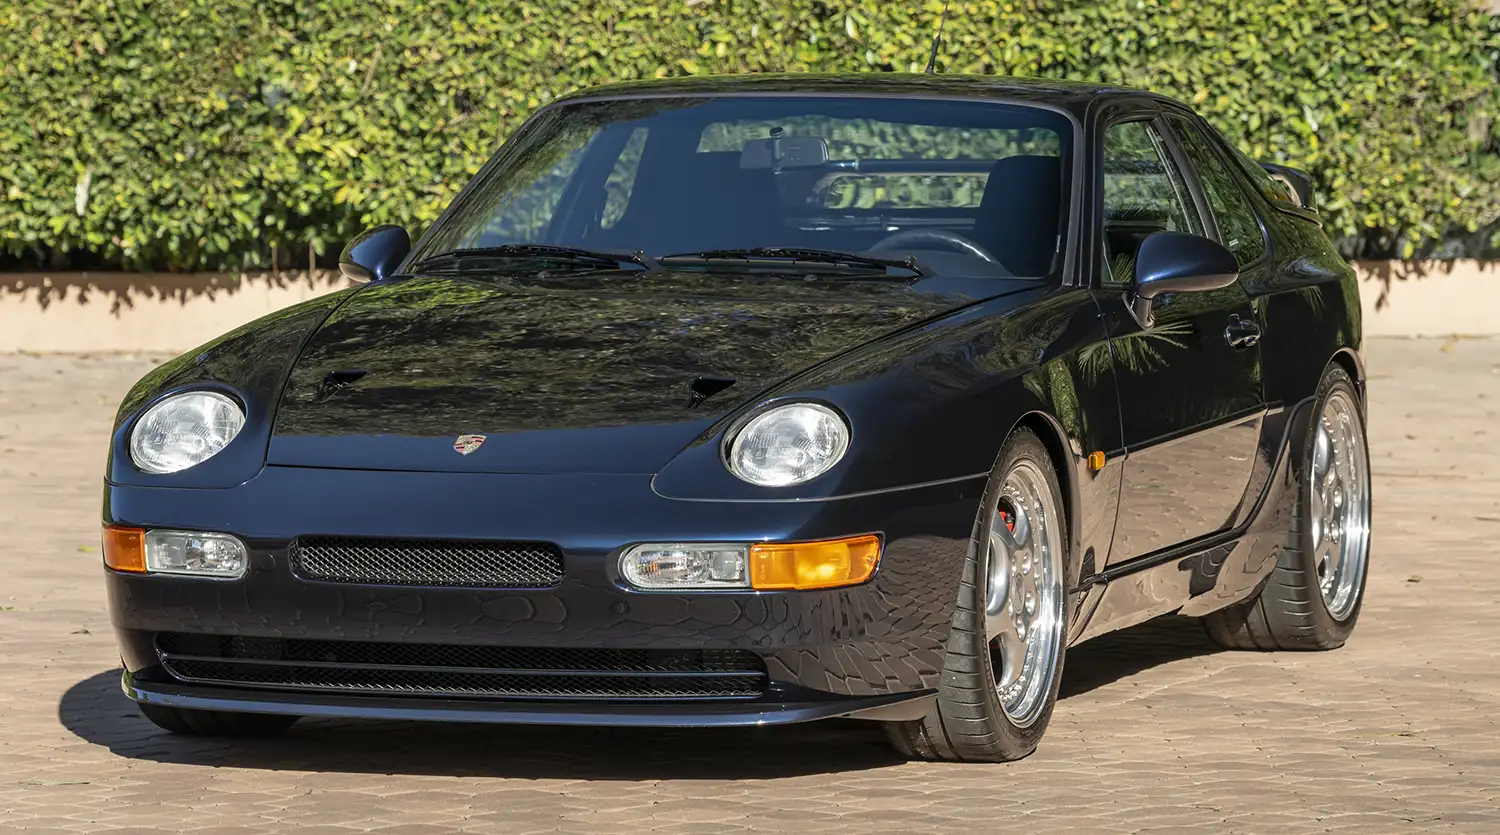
203	134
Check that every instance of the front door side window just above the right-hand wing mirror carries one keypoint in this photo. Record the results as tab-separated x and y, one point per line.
1144	194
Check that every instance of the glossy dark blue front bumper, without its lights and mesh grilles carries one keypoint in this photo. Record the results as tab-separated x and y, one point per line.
872	650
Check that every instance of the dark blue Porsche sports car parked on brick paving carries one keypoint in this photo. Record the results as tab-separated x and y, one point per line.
763	400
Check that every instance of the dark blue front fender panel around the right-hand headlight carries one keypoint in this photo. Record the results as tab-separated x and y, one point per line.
934	404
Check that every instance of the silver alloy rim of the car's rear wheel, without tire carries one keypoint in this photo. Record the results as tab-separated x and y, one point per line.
1340	507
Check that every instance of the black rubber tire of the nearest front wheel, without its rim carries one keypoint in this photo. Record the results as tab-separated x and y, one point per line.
967	722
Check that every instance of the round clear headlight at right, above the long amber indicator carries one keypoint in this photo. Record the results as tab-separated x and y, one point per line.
788	446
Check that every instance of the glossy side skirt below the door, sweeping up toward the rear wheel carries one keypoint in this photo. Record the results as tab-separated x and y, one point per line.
1205	575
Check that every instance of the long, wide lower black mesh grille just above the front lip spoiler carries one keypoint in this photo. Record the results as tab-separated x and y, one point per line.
457	671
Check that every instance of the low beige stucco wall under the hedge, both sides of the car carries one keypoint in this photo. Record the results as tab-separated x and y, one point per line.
109	313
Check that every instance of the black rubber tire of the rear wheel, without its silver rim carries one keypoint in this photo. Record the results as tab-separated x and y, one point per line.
1289	612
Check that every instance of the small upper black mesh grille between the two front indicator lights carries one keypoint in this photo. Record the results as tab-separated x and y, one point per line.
428	563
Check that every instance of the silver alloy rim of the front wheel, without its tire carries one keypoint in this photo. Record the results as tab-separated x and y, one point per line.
1025	590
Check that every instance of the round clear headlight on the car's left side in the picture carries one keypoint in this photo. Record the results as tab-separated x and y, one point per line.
185	431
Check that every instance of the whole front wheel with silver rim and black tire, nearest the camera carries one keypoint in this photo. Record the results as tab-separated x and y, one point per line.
1006	650
